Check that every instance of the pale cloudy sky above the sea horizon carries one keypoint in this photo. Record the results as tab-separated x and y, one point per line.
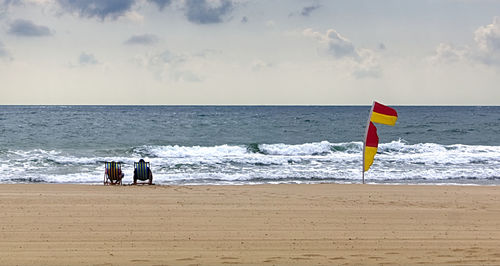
250	52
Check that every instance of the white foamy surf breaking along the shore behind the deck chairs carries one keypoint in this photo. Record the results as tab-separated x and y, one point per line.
309	162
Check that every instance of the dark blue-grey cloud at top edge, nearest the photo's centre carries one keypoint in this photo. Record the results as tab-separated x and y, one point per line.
207	12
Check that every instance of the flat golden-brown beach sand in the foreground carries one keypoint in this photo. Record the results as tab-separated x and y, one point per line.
328	224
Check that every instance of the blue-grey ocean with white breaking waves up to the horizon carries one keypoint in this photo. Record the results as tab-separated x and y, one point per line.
249	144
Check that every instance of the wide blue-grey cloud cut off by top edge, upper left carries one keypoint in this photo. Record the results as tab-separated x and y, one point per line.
101	9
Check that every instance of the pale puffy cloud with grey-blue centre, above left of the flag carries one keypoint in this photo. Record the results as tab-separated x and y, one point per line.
363	62
